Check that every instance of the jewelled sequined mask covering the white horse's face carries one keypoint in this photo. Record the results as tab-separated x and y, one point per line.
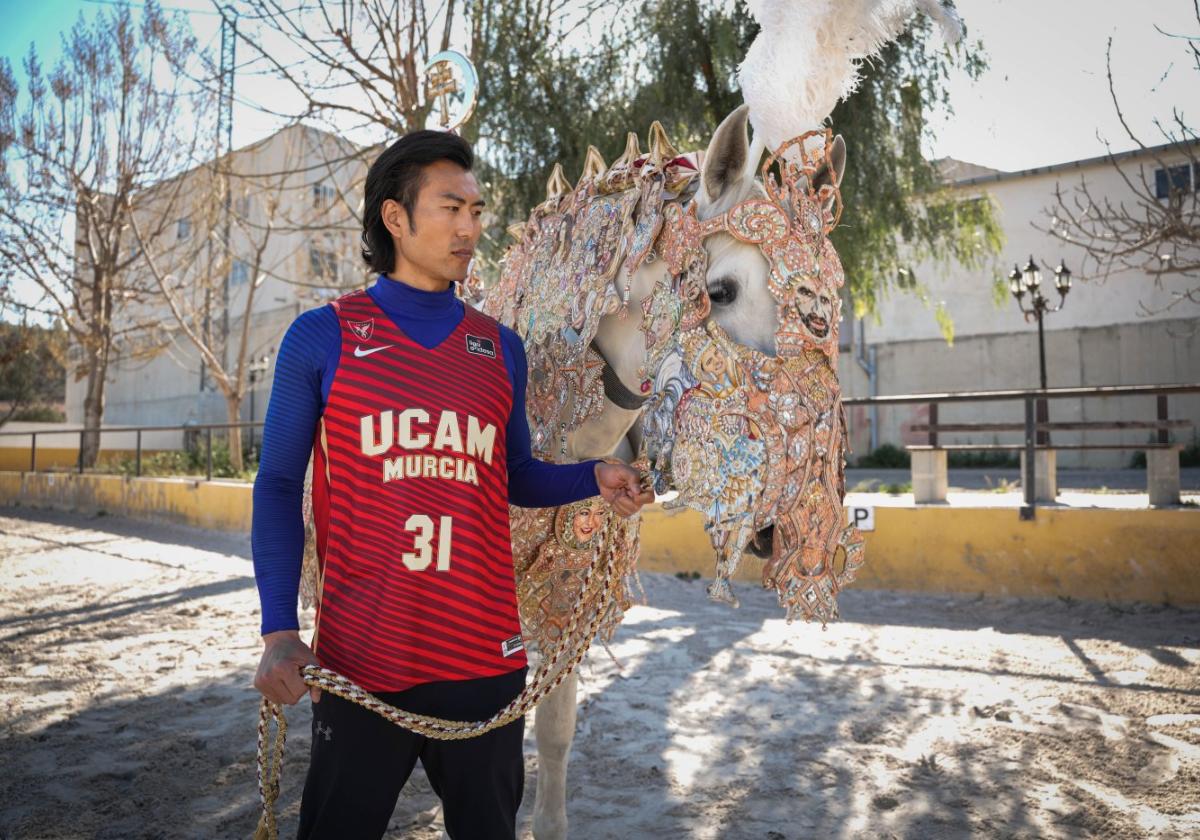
751	440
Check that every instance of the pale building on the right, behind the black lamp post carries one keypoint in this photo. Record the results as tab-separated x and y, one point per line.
1120	331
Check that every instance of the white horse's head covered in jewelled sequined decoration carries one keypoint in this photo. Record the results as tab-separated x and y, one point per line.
747	422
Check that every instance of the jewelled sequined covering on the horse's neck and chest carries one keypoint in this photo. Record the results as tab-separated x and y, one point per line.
568	269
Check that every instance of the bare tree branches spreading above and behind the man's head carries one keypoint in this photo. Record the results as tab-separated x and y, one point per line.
359	65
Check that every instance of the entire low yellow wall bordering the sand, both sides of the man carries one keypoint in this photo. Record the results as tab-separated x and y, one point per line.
1093	554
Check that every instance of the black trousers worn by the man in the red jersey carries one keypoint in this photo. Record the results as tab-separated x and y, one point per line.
361	763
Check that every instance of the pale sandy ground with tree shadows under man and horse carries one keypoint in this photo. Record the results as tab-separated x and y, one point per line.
128	710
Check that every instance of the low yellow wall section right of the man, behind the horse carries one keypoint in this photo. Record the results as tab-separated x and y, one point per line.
1088	553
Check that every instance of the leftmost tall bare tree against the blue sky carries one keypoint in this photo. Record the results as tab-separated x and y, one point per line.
113	117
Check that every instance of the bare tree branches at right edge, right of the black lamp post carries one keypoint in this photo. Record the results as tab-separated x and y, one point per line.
1156	230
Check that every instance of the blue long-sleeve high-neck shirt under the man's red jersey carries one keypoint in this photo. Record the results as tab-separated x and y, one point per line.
304	373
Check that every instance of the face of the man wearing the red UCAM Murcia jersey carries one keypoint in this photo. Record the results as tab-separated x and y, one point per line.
447	221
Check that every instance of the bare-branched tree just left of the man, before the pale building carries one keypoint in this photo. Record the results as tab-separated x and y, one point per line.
266	213
